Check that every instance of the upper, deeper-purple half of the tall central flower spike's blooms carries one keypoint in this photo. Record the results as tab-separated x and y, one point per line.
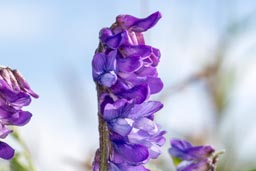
123	62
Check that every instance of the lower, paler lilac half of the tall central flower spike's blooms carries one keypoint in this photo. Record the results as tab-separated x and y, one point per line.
135	137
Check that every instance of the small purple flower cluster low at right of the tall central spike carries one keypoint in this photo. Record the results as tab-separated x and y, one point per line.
193	158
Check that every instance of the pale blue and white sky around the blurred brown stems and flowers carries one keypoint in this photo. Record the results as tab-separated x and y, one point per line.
52	44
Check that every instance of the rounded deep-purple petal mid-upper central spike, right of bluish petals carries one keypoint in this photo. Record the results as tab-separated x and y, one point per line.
129	64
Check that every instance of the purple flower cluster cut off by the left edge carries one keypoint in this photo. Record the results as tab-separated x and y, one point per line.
14	94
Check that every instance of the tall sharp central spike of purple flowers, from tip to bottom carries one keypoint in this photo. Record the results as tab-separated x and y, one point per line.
124	70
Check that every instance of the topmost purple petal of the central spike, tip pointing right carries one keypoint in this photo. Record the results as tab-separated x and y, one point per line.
136	24
